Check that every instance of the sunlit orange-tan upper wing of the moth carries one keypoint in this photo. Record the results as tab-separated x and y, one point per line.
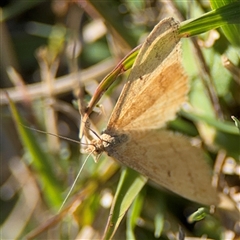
157	84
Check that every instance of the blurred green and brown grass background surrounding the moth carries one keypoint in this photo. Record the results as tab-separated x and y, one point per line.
54	52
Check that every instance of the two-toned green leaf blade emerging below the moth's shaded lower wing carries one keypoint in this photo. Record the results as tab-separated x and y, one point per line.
130	184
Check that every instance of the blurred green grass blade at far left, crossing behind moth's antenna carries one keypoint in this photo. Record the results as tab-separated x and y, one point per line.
41	162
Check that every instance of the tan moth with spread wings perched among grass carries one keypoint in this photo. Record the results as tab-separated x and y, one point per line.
156	88
